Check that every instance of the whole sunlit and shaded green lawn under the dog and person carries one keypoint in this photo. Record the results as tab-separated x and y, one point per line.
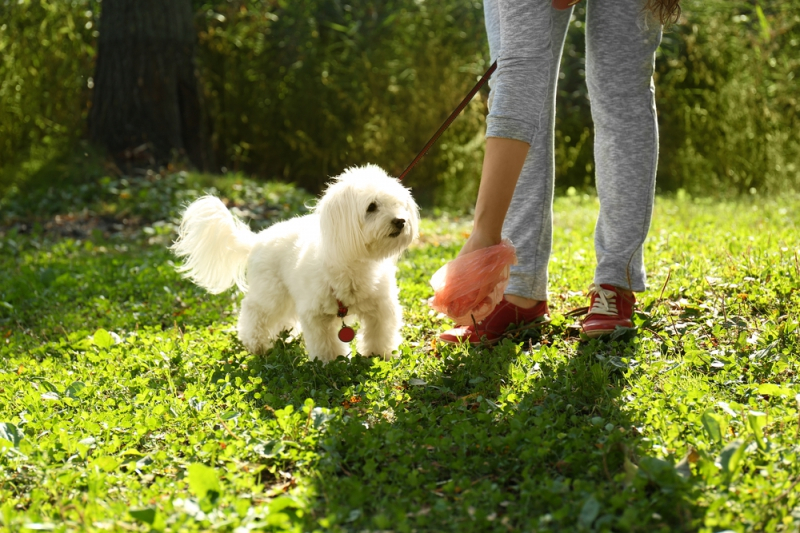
126	402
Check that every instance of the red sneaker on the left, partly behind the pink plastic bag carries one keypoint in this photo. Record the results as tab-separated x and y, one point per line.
491	329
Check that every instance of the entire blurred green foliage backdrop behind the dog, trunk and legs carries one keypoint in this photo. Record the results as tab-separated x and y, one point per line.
300	90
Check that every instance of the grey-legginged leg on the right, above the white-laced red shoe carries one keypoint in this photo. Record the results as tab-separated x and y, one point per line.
621	41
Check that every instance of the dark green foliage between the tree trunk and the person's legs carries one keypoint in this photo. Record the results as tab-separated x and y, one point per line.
301	90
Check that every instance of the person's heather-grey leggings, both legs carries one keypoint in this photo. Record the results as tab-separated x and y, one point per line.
526	37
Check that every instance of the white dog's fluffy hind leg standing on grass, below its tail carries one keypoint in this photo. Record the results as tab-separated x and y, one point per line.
260	321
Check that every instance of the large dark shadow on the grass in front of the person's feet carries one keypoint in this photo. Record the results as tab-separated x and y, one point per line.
493	439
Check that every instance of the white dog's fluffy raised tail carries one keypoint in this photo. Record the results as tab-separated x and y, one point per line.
214	245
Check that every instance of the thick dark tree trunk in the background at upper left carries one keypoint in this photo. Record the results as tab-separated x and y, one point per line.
146	103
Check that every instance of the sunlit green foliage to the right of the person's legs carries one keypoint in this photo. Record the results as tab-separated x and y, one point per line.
728	101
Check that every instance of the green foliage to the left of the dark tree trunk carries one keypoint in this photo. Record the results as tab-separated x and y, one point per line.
46	62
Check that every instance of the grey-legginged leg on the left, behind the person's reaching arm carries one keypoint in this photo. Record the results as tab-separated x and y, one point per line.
522	107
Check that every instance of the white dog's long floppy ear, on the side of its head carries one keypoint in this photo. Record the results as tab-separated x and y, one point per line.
340	224
